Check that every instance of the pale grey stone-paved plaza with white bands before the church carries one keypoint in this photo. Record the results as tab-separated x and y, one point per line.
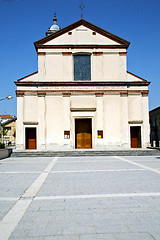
80	198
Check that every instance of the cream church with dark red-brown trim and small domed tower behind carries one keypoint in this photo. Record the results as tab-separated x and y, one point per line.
82	95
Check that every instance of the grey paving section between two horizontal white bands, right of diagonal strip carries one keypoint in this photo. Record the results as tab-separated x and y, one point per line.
91	183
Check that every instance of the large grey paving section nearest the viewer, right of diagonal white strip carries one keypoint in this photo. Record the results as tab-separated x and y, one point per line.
84	218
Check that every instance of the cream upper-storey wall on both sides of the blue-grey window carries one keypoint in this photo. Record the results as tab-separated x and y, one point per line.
108	67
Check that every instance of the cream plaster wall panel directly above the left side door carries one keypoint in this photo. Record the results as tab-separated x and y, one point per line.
30	108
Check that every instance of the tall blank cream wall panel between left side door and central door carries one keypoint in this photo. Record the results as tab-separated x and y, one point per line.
54	121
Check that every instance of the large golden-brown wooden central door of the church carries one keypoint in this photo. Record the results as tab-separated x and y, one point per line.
83	133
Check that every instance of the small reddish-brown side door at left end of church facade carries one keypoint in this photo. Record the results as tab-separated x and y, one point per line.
31	142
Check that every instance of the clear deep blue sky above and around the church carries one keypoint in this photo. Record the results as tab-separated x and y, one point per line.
24	21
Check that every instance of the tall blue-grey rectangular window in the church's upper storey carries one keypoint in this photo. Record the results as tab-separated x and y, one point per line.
82	67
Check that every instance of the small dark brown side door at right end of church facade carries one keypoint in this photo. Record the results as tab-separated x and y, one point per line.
135	137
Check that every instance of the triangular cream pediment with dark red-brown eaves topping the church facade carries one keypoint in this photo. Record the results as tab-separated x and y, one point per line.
82	33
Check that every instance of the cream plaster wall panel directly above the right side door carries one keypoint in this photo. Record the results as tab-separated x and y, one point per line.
134	107
